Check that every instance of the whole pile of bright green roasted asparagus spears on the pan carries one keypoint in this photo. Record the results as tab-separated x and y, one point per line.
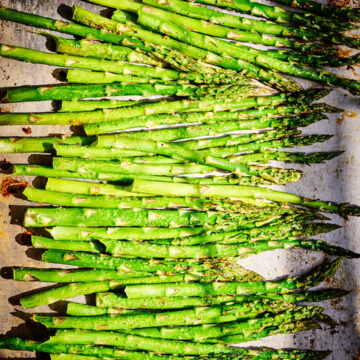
159	200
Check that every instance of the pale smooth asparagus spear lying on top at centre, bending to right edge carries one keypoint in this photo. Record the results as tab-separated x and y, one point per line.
241	191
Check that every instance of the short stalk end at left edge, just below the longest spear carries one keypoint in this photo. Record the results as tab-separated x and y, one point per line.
46	144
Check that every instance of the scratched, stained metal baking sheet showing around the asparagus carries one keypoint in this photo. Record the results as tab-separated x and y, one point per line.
337	180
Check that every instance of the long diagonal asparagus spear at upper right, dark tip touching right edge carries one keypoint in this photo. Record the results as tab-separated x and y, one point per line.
220	47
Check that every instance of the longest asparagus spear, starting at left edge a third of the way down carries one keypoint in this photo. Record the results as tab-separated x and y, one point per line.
215	105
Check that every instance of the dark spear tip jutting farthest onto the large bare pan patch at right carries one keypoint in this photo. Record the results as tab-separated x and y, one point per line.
292	157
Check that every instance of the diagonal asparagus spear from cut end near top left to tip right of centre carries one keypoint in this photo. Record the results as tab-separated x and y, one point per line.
94	20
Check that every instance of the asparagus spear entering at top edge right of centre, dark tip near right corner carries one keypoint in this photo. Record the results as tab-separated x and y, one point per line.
279	15
